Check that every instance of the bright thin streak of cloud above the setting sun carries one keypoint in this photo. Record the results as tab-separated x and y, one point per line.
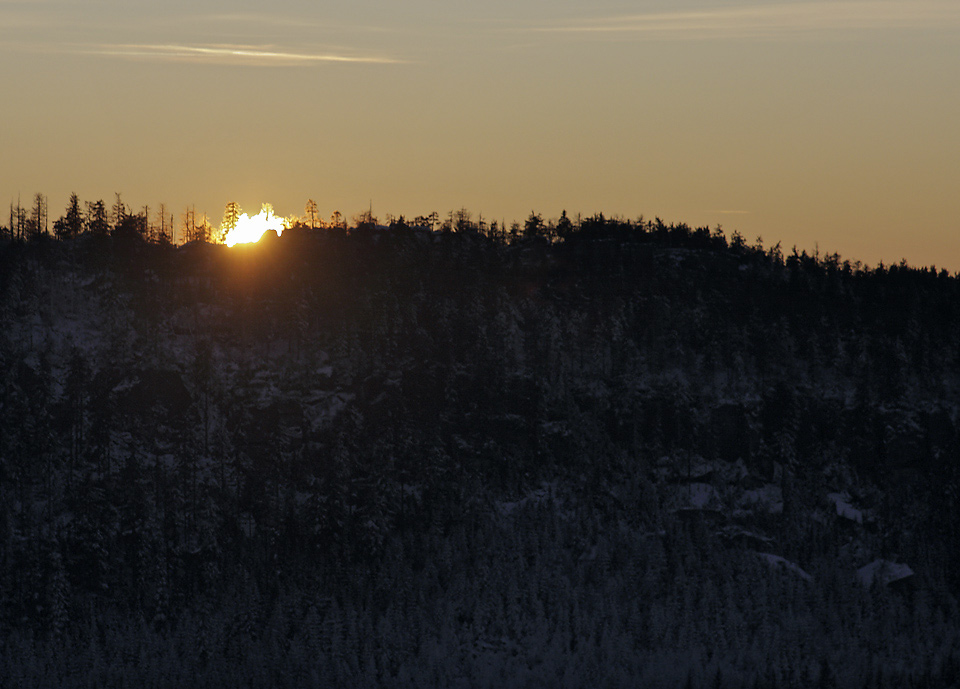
241	55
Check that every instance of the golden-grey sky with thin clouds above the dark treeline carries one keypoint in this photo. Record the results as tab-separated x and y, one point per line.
831	126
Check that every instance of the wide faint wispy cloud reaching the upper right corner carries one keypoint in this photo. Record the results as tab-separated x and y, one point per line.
770	21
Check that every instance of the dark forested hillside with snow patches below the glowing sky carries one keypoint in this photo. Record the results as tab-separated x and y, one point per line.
635	455
